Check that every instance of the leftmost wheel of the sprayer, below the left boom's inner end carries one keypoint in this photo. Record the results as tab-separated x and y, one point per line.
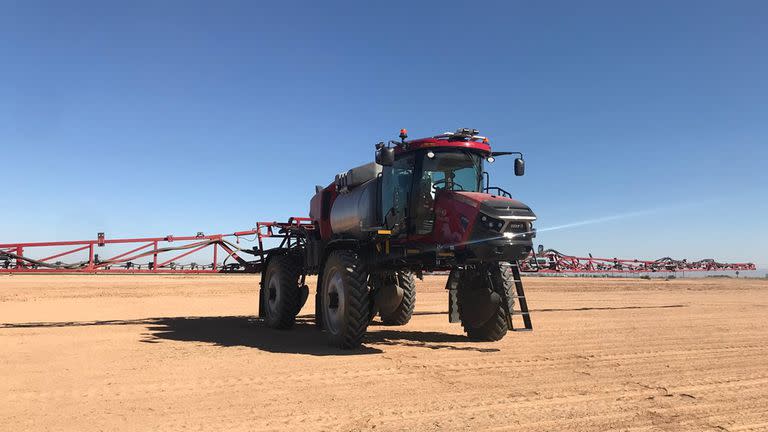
282	294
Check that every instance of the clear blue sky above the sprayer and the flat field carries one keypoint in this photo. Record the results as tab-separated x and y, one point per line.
150	118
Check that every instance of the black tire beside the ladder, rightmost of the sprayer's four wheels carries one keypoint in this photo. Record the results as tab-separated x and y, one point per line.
477	293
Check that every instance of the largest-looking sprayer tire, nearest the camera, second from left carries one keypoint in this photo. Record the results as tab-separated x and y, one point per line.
345	300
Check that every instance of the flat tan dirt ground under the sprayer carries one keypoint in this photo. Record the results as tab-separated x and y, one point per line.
169	353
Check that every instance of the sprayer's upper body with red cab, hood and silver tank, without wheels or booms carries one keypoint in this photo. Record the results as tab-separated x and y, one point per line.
431	198
